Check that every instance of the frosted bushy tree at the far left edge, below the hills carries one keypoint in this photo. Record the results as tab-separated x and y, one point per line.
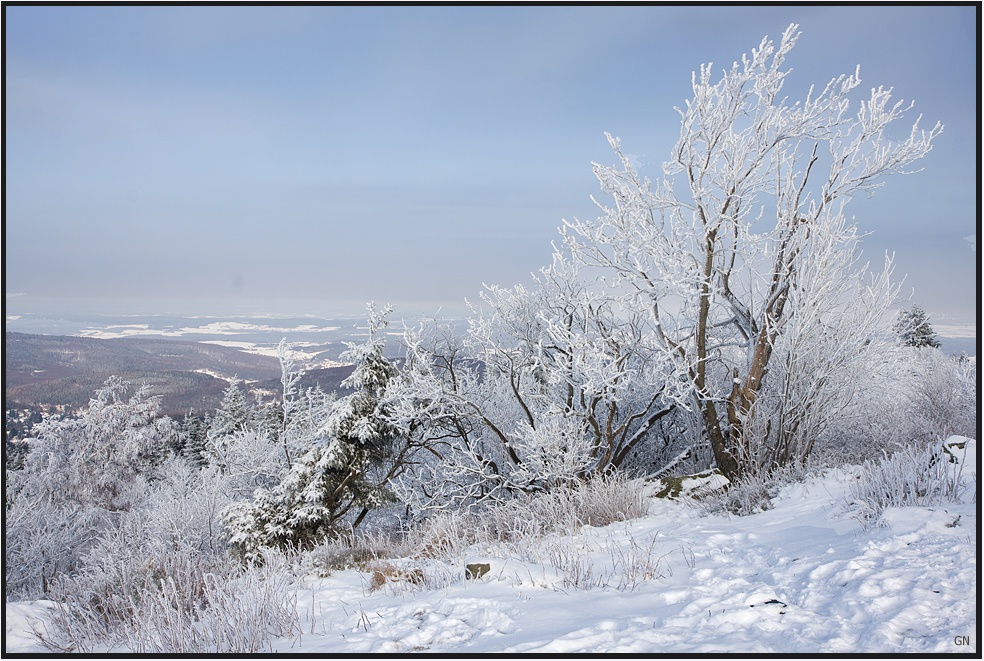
80	475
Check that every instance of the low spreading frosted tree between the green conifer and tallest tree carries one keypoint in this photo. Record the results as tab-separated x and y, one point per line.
550	385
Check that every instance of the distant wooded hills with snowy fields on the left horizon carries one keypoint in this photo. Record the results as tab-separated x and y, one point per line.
63	371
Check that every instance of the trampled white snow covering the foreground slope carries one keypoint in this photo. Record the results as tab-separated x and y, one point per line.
803	576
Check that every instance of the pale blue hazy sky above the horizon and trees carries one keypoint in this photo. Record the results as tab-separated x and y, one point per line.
411	154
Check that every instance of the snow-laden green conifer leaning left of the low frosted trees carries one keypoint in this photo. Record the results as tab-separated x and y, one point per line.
339	478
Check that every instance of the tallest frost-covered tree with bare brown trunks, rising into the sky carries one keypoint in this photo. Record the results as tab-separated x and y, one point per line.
717	249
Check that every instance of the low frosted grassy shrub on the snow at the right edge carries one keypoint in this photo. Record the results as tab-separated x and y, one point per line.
913	476
